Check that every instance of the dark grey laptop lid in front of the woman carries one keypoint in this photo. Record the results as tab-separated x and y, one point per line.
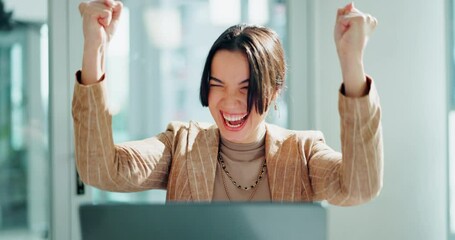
264	221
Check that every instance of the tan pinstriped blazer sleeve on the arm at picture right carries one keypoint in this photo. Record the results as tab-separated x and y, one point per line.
356	175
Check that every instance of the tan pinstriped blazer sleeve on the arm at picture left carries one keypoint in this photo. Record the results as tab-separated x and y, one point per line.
127	167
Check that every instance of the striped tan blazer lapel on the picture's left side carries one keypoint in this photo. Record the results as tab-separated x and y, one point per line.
202	153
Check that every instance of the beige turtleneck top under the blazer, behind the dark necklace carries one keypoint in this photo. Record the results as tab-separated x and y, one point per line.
244	163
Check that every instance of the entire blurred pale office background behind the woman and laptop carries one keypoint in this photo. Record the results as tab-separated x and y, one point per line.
154	67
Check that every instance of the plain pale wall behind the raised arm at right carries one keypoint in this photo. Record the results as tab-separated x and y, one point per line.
407	58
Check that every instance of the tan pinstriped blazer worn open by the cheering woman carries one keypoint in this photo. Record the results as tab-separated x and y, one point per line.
183	159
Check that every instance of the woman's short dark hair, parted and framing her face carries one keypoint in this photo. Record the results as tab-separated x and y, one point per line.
266	62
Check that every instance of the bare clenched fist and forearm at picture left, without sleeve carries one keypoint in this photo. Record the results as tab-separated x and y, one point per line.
100	19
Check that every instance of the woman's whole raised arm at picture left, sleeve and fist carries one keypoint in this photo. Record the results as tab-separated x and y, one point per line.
126	167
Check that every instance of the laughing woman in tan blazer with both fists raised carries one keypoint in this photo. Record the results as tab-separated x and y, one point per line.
241	157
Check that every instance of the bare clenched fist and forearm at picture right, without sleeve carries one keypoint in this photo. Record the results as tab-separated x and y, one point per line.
351	33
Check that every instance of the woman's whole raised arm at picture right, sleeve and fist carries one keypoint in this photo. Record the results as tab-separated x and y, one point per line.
356	175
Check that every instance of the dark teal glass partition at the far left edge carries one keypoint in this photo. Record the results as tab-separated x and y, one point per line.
24	153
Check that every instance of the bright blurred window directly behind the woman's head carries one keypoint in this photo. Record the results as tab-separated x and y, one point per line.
156	60
